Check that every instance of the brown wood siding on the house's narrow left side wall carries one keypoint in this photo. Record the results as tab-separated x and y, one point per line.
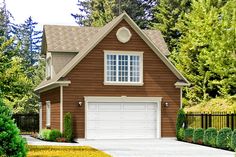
53	96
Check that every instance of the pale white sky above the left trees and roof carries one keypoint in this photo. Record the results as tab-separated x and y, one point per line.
43	11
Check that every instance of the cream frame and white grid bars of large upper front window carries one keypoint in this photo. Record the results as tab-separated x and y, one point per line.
112	52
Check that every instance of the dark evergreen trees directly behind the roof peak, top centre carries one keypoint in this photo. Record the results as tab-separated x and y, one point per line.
100	12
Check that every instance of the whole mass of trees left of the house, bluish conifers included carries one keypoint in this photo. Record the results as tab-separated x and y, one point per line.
21	68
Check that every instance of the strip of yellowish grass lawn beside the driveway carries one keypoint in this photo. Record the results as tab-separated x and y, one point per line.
64	151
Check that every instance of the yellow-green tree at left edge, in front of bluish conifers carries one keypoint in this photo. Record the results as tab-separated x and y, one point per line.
15	85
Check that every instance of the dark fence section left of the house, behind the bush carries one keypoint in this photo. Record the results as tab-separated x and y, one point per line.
27	123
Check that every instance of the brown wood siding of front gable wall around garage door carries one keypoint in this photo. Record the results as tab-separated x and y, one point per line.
88	76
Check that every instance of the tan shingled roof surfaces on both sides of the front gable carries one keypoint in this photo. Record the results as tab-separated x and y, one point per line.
74	38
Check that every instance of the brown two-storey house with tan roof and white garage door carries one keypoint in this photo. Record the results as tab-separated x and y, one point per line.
115	80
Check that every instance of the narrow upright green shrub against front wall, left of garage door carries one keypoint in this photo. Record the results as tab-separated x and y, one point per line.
68	127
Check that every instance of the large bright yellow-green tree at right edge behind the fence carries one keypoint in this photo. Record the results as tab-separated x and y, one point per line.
207	49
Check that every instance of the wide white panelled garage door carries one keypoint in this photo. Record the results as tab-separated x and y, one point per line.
121	120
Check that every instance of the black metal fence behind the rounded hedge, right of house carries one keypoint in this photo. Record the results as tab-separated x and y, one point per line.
217	120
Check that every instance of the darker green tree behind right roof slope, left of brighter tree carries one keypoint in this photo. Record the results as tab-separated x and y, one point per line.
166	15
